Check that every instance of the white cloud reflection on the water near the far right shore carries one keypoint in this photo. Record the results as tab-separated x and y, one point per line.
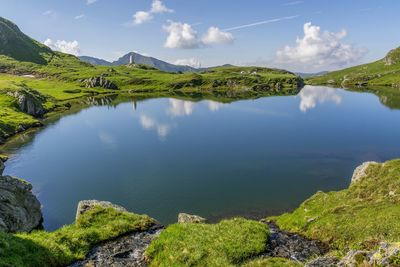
310	96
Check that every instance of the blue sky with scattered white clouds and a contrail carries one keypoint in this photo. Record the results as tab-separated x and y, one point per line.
303	35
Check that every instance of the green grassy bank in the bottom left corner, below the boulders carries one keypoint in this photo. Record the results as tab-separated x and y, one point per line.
70	243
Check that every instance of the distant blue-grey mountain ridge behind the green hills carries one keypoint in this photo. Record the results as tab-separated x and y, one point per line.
140	59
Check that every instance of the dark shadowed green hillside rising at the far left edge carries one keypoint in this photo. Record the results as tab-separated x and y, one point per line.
17	45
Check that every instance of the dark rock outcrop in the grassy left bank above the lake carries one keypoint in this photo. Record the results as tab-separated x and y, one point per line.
29	101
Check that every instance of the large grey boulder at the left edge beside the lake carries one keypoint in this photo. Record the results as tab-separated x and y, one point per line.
19	208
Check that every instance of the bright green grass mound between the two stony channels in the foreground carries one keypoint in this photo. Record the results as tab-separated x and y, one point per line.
227	243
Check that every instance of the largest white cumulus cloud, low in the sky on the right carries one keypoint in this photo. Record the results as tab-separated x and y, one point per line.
320	49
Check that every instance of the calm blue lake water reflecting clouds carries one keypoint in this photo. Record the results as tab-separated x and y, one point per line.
165	156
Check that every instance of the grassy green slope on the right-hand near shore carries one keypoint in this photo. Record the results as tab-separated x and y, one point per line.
359	217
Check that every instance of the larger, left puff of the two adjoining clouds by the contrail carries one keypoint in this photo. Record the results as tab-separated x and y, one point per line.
181	35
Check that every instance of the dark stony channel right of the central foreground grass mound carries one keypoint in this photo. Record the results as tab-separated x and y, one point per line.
292	246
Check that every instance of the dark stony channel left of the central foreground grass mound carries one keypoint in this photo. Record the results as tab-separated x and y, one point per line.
127	251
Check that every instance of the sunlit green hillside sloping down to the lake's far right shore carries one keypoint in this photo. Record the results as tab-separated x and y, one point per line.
384	72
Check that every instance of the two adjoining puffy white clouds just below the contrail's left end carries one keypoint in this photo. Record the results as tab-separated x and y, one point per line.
182	35
